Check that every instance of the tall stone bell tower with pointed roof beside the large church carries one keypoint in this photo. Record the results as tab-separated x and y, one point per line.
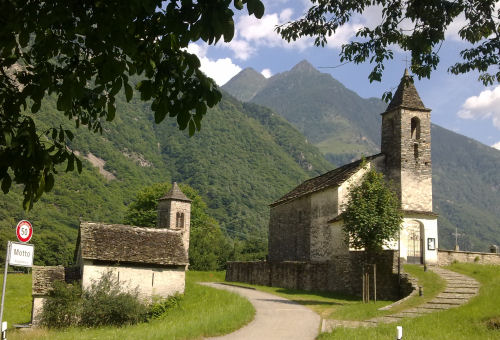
406	144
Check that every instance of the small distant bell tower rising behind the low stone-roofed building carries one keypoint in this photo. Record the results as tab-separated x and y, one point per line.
174	213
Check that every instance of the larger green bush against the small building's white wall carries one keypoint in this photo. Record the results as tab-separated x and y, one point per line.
104	303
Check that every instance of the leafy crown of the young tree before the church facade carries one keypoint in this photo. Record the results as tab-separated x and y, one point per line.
373	214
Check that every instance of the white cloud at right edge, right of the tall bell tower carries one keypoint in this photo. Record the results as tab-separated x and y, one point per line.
484	106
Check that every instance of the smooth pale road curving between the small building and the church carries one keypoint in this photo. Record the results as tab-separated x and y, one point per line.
275	317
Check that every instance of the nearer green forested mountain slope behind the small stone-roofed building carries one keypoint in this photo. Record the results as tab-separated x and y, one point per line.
244	157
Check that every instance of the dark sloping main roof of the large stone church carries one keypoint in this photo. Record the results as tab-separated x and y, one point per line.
332	178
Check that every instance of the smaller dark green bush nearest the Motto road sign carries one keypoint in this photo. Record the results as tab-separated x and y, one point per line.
63	306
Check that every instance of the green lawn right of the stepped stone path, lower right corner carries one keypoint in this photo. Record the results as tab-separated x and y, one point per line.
463	323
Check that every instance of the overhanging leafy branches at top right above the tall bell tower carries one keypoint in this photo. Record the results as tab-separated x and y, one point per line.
417	26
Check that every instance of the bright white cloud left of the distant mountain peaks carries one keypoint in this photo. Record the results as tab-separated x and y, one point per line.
220	70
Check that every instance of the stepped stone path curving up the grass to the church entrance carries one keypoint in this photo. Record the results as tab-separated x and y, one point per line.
459	290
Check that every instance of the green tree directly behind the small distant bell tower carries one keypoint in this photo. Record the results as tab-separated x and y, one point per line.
208	247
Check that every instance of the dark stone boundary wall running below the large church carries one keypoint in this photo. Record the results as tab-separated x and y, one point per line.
342	274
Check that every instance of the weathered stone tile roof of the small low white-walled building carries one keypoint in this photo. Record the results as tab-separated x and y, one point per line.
122	243
